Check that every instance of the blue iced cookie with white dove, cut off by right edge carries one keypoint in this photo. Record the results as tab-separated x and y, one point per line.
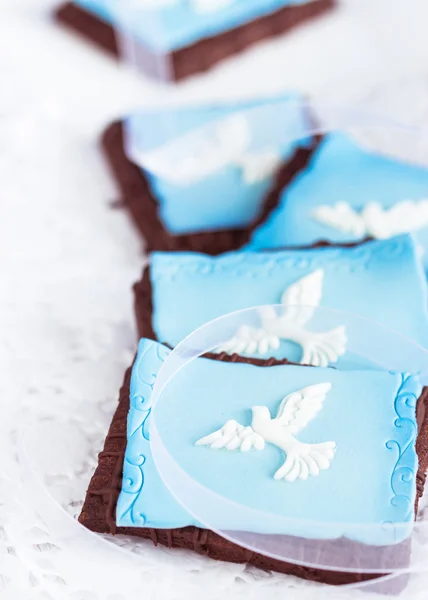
347	194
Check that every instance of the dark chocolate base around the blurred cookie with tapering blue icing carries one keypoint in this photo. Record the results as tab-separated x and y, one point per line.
138	199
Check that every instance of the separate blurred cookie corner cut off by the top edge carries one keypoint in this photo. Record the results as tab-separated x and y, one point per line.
190	35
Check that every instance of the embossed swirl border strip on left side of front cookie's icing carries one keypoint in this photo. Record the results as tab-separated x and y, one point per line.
153	357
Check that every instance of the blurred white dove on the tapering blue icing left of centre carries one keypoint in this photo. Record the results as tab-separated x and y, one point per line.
196	156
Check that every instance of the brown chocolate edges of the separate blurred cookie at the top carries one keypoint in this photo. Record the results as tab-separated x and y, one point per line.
204	54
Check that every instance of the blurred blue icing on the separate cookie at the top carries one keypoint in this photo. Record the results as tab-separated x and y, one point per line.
179	24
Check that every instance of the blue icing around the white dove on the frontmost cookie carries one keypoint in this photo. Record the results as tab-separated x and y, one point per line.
370	415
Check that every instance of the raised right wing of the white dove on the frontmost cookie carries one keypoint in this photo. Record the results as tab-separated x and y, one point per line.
298	408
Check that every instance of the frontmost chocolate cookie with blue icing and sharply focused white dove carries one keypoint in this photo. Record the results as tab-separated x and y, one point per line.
294	432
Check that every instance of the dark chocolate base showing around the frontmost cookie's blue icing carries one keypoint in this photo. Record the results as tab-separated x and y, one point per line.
99	509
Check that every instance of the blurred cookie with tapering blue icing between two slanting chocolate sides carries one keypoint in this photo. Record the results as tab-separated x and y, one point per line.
207	176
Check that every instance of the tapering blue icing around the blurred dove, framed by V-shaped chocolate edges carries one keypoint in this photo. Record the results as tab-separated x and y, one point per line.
223	199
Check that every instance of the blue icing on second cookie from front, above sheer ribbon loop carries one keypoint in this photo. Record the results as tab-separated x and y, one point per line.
380	280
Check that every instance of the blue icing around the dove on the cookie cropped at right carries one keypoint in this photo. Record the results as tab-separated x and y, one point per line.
340	171
